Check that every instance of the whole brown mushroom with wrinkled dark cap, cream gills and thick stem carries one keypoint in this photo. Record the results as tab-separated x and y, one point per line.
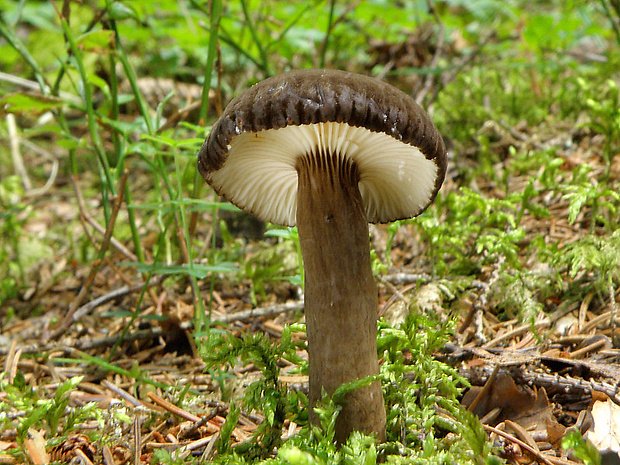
330	151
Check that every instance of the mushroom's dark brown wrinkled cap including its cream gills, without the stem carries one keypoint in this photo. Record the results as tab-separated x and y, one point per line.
251	153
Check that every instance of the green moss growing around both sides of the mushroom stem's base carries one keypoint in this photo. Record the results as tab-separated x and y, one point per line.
416	386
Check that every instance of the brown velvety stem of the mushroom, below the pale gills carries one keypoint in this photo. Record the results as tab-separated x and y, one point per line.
340	291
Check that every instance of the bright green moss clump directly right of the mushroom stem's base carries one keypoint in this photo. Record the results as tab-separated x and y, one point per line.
417	385
